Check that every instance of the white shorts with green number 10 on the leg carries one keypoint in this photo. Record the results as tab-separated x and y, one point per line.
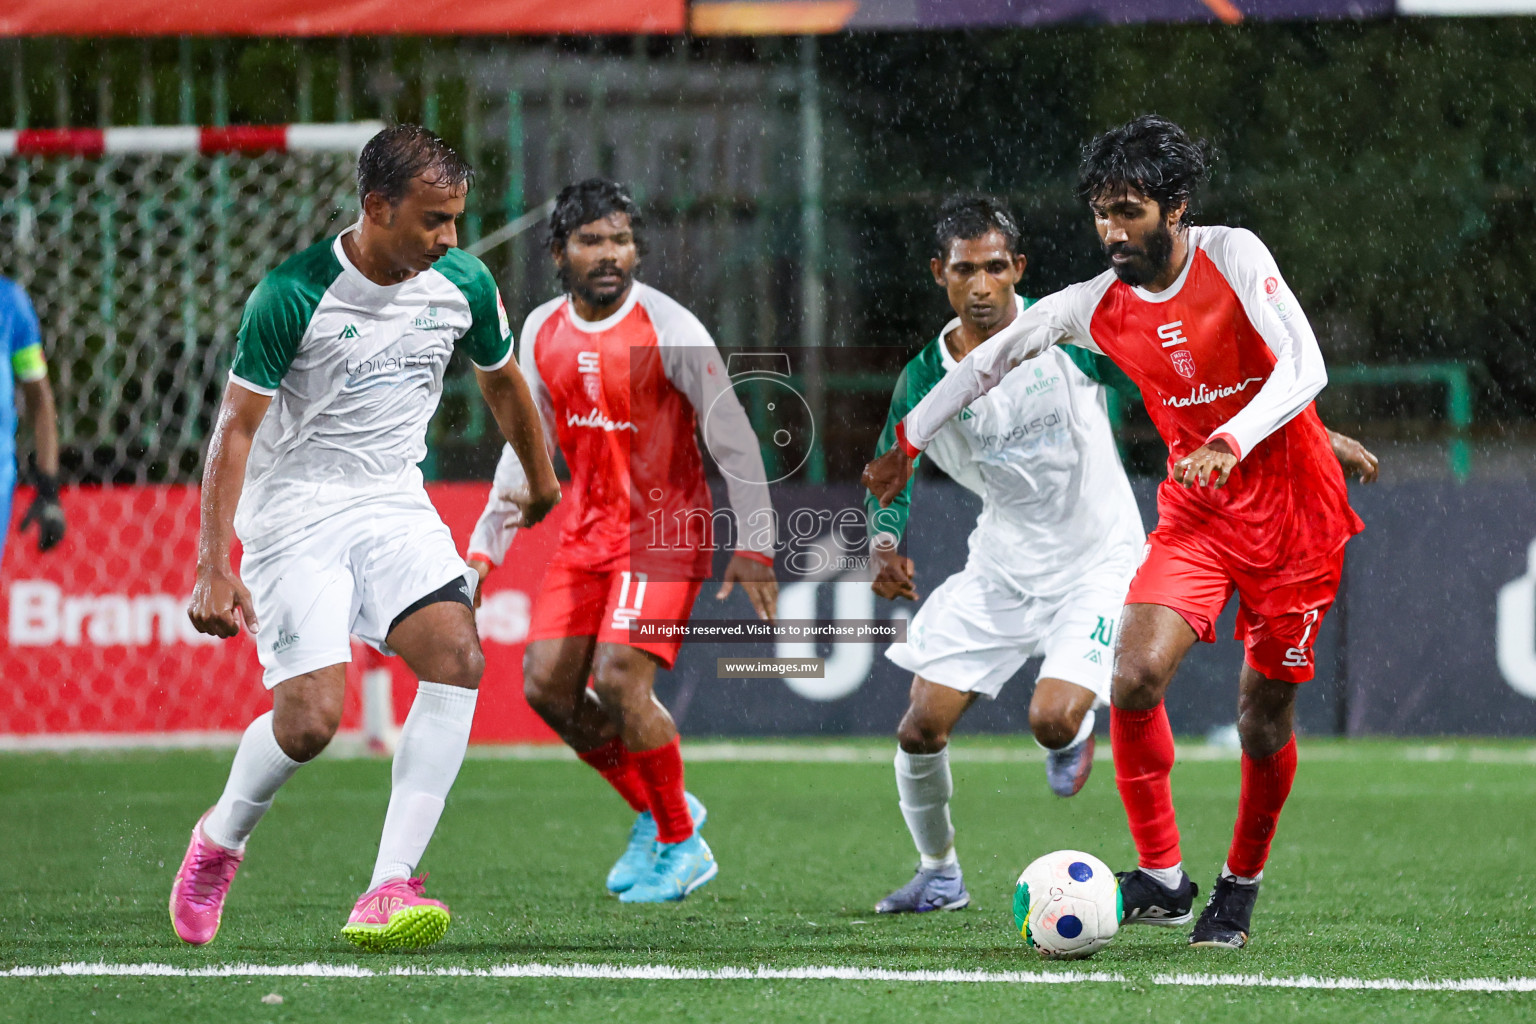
975	633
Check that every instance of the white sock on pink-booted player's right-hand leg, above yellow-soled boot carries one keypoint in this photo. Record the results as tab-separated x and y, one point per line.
428	761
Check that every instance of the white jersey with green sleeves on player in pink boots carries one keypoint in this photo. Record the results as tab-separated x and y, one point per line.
356	372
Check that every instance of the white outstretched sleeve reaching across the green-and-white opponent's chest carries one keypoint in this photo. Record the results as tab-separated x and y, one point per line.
1056	319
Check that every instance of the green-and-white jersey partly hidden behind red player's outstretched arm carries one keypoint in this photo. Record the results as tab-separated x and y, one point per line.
1041	452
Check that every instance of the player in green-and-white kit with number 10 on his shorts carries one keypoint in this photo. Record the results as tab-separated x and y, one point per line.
1050	560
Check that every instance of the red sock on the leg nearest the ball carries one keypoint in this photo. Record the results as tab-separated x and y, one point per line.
1144	750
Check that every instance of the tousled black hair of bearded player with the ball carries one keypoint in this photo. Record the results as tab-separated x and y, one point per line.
1150	154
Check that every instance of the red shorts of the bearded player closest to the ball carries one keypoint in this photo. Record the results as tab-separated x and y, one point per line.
1279	616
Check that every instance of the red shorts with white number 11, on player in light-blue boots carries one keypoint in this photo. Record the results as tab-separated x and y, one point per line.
577	603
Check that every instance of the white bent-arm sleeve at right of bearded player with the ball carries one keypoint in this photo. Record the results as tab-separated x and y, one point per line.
1299	374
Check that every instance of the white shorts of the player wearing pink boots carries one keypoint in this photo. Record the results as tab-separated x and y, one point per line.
348	575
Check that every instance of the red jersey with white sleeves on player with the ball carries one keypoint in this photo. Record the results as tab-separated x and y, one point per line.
1226	352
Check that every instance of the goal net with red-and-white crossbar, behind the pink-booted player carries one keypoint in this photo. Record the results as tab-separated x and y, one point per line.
139	249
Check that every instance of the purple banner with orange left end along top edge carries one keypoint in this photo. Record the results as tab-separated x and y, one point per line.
790	18
